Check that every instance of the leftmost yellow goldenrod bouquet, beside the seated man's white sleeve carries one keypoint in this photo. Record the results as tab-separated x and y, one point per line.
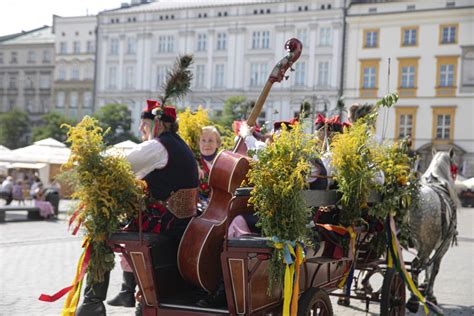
107	189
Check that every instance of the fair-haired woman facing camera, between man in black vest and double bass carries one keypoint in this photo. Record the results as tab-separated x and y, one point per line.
209	143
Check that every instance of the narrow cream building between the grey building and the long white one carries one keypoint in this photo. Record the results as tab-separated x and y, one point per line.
75	65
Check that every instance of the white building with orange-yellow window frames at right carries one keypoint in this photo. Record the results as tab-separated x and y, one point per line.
425	51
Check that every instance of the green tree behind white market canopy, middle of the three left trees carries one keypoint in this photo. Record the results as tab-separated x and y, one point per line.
52	127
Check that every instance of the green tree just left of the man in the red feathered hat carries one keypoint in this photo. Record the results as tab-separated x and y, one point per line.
118	118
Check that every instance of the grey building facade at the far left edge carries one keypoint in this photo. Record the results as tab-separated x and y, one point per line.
26	72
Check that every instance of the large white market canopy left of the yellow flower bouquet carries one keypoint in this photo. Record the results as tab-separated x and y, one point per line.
47	150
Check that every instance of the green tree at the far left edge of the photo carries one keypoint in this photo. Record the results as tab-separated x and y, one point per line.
14	127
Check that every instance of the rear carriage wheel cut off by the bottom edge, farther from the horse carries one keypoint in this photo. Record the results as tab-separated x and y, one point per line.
315	302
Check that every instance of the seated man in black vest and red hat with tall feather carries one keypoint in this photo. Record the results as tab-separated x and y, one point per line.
167	165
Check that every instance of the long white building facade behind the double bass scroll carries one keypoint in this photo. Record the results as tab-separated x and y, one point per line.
235	44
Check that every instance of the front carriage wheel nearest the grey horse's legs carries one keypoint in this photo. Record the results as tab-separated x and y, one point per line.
393	298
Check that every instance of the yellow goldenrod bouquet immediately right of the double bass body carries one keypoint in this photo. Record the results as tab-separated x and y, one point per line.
277	196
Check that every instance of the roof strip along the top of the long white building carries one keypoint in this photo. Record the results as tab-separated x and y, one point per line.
162	5
